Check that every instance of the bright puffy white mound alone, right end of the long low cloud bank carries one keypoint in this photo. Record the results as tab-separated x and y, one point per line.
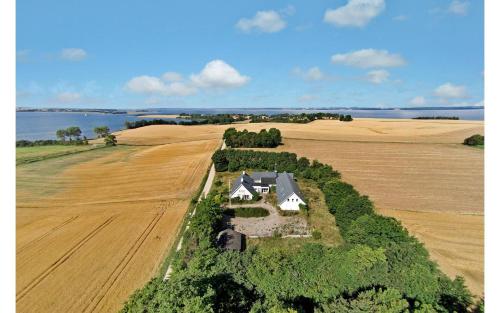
218	74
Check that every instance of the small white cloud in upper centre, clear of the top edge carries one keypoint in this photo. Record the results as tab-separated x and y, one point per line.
264	21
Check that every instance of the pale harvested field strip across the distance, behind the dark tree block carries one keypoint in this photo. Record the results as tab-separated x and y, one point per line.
360	130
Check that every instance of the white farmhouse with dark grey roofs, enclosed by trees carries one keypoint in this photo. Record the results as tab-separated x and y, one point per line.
290	198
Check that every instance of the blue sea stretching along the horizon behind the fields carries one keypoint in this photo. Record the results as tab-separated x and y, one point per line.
43	125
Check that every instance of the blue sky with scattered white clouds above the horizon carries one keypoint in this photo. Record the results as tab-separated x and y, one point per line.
249	54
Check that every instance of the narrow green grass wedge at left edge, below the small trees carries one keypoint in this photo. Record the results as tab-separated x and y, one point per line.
38	153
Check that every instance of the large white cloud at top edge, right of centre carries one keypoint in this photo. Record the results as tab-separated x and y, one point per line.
355	13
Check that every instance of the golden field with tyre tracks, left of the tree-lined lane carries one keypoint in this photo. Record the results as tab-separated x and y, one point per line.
94	226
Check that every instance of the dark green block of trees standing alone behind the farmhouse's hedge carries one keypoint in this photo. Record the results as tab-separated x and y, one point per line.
246	139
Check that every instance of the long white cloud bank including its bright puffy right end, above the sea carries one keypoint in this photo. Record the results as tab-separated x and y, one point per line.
215	75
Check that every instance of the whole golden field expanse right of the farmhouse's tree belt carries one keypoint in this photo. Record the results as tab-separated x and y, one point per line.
416	171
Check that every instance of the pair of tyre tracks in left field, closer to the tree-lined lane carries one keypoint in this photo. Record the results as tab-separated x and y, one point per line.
126	259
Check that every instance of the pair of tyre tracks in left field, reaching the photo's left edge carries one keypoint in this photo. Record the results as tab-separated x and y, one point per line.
38	279
